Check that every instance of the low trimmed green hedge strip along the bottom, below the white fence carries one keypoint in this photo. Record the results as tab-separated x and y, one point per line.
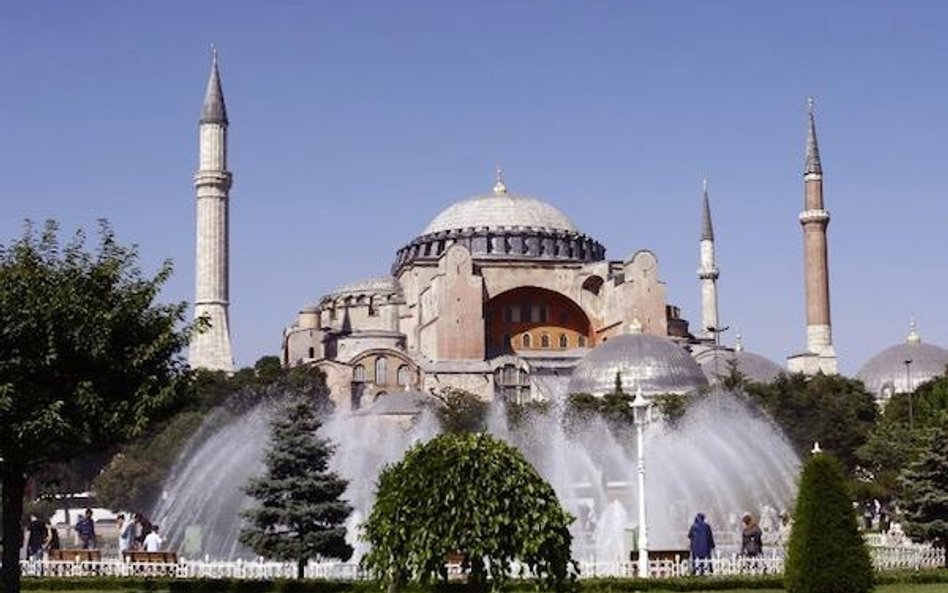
596	585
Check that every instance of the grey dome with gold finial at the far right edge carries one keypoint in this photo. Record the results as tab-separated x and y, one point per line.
889	372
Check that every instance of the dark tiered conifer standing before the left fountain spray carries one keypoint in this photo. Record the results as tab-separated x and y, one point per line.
299	514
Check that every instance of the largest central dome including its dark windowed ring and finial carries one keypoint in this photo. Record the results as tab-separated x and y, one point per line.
501	226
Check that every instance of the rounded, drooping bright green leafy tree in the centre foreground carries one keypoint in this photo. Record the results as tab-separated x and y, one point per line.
469	496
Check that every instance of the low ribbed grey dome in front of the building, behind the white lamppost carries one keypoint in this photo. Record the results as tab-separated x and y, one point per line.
654	363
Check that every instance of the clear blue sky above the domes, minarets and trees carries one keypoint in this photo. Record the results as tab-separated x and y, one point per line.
354	123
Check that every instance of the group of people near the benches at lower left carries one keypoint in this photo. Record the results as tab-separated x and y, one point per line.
138	533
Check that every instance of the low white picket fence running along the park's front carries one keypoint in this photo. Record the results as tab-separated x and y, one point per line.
885	558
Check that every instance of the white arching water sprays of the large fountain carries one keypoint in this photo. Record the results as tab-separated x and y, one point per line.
722	458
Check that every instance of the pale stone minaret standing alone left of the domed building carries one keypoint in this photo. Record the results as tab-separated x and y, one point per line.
211	349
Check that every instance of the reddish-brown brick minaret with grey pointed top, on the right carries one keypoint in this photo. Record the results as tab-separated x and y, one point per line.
819	355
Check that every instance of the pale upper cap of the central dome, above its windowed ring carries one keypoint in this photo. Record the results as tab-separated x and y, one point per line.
500	210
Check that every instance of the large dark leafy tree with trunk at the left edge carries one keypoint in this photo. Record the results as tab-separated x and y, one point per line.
87	358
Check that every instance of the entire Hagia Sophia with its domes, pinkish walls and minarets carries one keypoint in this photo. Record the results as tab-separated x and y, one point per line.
502	295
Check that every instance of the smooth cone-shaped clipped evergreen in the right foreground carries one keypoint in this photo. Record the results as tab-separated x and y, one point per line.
826	551
